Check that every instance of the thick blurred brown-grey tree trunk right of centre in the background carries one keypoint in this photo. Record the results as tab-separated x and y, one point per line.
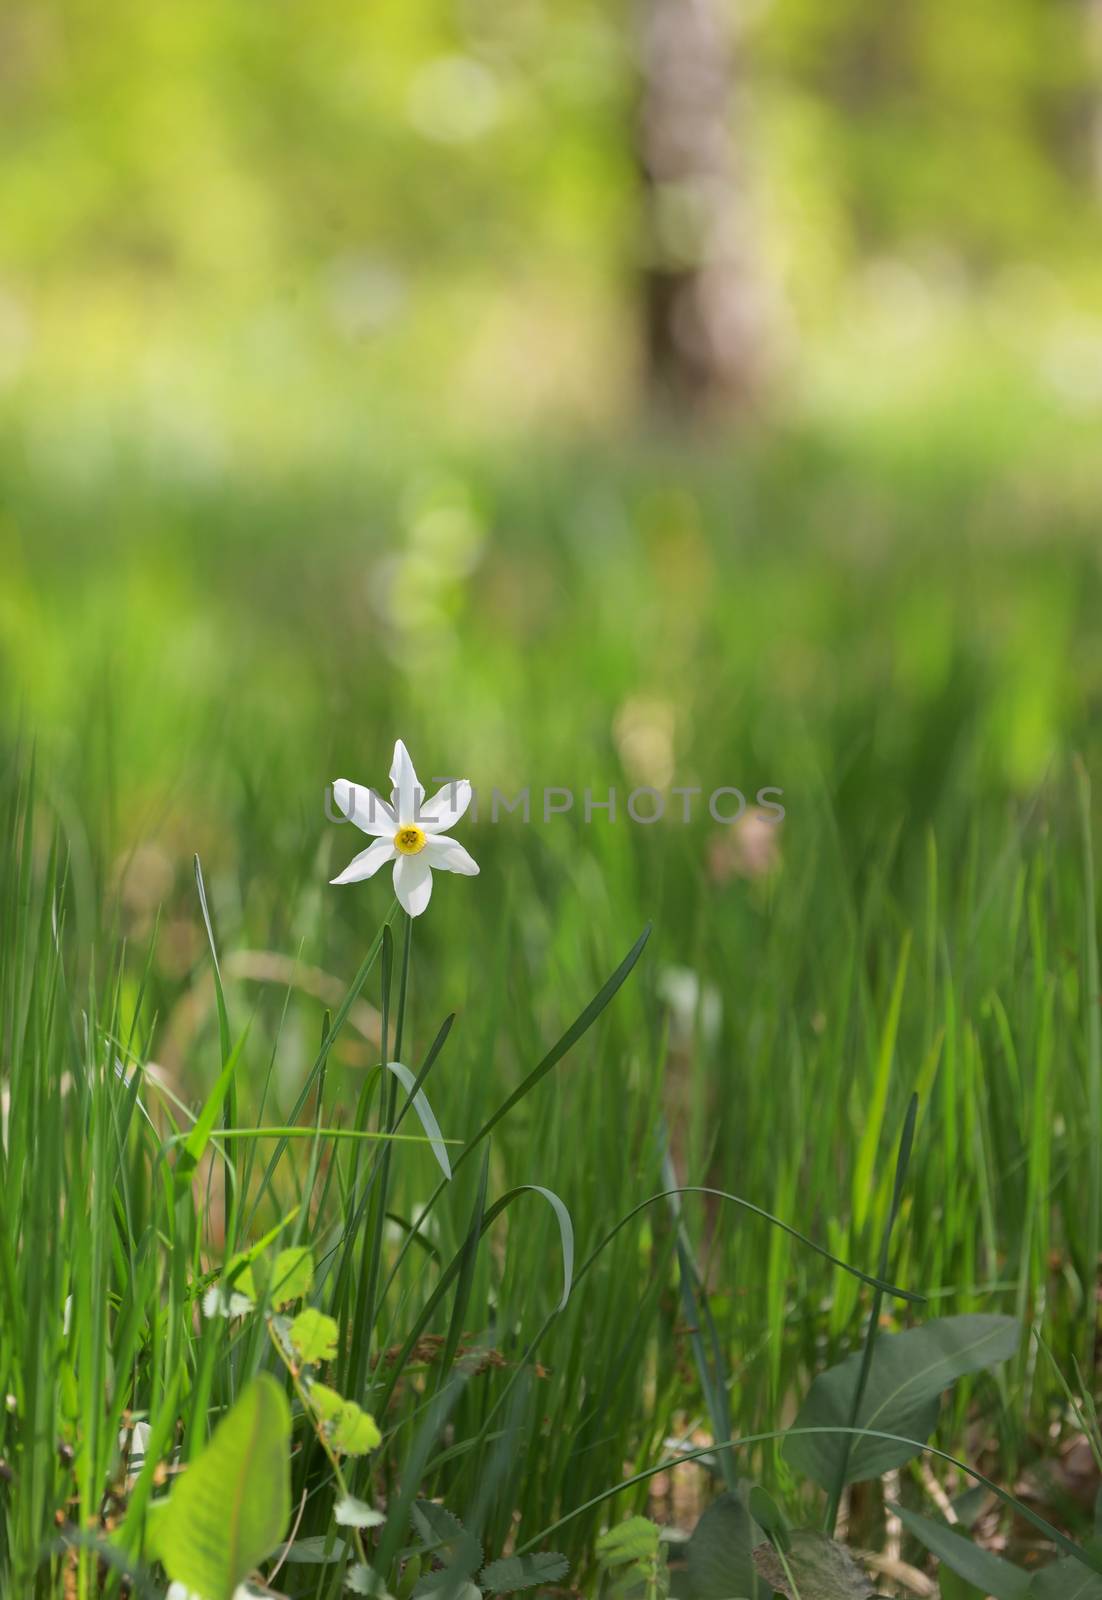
706	332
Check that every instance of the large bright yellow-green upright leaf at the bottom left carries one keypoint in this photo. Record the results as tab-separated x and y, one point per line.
234	1503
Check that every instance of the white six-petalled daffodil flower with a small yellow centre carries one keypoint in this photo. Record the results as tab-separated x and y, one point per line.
412	831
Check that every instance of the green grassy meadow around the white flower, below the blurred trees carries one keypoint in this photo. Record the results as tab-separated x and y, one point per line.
797	617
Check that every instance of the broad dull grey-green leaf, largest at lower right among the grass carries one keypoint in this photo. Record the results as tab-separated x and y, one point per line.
903	1396
